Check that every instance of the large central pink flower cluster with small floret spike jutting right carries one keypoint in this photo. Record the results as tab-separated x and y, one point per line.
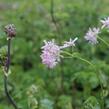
51	52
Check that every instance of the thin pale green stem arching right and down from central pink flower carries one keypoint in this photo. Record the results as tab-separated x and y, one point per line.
86	61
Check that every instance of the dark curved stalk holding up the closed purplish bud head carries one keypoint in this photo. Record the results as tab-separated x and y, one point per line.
7	66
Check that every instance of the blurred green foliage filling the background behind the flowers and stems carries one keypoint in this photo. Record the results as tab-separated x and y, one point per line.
72	85
